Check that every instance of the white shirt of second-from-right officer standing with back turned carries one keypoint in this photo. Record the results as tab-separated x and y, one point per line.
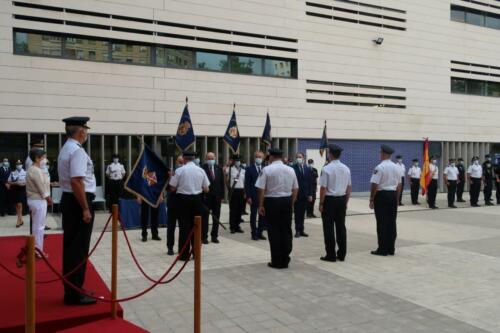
335	177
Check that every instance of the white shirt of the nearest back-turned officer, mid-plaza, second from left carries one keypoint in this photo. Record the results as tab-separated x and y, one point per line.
277	180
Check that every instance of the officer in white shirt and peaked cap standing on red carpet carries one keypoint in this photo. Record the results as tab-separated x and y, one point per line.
77	181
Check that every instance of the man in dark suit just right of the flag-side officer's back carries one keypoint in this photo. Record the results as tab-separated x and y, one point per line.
213	199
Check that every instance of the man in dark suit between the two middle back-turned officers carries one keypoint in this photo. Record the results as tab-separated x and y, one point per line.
304	175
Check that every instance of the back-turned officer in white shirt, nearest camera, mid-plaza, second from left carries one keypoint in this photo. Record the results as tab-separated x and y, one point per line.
278	188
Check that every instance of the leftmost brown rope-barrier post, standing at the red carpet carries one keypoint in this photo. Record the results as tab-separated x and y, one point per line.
30	285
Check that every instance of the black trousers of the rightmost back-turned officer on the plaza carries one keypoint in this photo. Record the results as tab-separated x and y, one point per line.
386	210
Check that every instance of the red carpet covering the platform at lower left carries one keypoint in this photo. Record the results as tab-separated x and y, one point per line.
51	313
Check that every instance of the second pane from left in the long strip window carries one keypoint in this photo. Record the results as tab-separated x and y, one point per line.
86	49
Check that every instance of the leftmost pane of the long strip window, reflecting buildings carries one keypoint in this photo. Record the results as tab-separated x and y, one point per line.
38	44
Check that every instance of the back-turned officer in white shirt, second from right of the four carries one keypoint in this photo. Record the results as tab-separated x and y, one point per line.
336	187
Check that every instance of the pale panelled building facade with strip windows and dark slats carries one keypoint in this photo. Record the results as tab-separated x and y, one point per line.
375	70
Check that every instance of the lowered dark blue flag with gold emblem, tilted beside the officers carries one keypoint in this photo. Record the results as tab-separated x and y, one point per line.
148	178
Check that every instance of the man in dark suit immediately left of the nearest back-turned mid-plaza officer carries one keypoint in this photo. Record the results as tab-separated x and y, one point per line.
251	175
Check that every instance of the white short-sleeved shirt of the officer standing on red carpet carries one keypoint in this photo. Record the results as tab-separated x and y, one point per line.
73	162
